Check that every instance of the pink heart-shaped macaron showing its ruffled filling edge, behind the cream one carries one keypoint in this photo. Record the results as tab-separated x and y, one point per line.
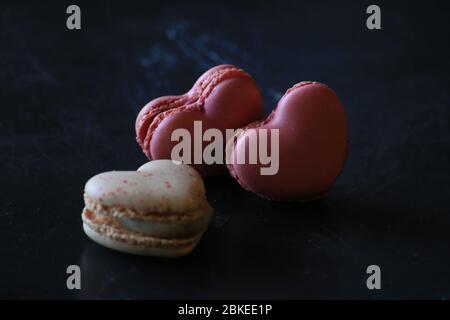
224	97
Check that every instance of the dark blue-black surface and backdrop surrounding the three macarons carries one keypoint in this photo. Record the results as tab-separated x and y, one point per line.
68	104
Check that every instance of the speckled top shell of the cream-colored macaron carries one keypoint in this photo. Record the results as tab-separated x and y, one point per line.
158	187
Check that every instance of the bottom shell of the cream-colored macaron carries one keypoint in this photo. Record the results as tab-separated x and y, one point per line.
116	237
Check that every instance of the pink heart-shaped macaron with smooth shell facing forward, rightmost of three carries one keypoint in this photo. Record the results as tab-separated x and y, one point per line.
313	140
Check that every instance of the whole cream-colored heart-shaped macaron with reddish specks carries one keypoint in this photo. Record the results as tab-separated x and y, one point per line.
158	210
